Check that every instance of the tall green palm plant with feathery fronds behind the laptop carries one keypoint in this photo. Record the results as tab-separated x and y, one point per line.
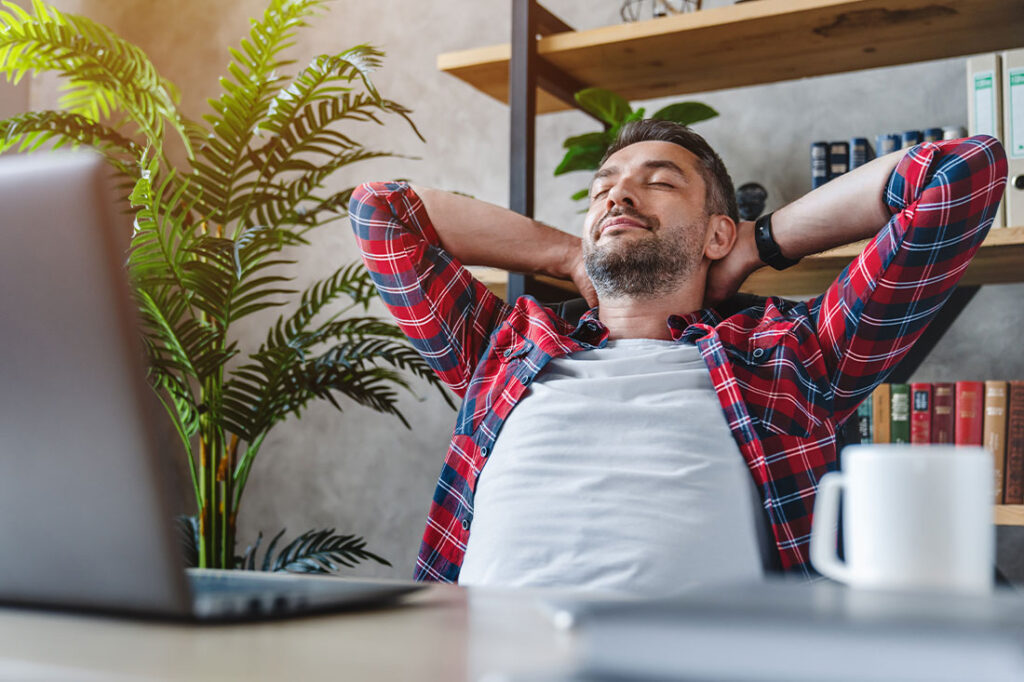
214	238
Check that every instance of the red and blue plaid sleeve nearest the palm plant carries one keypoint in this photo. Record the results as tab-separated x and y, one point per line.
447	315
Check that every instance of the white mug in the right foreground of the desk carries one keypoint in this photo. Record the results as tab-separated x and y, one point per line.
915	518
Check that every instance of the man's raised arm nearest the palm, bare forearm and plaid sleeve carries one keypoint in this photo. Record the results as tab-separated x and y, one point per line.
415	243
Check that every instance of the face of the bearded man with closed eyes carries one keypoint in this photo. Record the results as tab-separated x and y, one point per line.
646	229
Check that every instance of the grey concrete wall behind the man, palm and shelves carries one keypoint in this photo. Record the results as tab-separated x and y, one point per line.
364	474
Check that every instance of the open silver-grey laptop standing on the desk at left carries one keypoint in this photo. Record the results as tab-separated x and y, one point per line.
87	500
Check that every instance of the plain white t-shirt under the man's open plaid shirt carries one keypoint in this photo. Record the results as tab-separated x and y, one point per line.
618	473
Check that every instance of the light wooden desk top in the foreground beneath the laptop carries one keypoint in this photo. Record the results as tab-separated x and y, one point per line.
441	633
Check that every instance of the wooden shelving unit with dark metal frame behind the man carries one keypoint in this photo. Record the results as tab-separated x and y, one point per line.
739	46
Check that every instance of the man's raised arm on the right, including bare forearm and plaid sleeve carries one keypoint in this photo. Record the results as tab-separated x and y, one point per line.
929	210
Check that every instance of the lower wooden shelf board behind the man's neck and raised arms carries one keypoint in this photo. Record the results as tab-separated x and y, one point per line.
999	262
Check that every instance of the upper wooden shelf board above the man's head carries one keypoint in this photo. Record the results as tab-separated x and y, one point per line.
753	44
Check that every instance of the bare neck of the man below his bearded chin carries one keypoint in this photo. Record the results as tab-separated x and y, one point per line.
629	318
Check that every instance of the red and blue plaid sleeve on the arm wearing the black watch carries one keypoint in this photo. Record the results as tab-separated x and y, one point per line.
944	198
